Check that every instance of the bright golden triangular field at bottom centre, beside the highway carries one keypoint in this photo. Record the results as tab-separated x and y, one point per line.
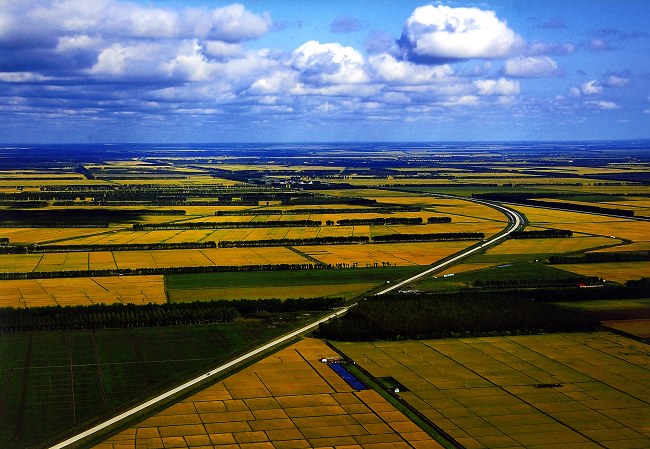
287	400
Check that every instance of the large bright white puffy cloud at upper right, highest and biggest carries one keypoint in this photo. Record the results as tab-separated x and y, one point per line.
444	33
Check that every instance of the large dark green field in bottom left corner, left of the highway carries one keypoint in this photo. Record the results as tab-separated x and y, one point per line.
54	381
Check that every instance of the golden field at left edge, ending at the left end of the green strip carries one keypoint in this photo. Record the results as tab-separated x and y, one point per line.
82	291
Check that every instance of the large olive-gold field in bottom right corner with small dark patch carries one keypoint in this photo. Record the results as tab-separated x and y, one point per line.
547	391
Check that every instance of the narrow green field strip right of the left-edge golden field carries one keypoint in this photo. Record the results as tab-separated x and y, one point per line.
286	278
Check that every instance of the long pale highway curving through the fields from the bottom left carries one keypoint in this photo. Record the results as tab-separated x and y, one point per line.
516	221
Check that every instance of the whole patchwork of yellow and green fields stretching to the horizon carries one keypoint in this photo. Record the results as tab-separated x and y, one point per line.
542	392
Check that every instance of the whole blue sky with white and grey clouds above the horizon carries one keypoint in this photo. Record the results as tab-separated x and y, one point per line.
166	71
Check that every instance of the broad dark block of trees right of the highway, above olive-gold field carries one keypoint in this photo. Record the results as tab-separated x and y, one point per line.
473	313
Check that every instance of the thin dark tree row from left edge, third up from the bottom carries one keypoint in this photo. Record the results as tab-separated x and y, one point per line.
35	248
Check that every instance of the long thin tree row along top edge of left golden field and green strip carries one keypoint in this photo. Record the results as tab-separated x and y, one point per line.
164	270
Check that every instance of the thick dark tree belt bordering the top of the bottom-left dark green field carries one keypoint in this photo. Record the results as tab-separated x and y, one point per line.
130	315
